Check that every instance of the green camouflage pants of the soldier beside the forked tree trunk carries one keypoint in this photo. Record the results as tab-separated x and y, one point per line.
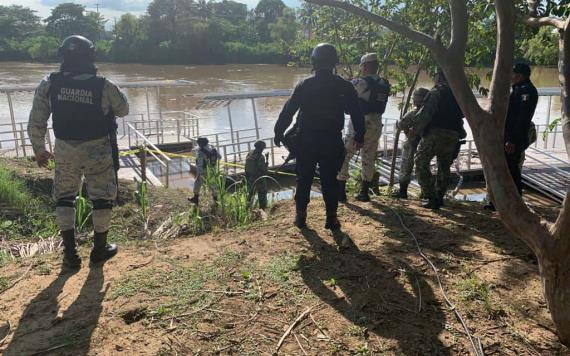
441	144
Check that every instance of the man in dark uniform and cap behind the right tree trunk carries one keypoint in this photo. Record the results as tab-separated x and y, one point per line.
518	125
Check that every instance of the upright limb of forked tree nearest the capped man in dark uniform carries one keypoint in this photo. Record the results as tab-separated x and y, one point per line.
499	90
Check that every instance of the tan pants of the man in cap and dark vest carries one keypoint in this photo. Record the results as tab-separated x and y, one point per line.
368	151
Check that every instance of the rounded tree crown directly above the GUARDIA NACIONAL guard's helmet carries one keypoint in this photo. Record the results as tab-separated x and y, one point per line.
69	19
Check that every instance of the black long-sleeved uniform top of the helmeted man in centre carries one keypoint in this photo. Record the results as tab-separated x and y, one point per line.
322	101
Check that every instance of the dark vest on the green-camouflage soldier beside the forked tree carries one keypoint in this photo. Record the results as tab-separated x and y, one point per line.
448	115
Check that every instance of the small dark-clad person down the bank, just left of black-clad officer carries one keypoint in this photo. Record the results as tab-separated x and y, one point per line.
255	167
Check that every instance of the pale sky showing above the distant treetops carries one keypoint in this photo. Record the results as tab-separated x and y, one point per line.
109	8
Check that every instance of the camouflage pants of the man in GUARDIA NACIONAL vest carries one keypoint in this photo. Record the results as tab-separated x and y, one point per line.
93	160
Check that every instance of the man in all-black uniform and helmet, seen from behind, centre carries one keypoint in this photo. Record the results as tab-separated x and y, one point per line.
322	101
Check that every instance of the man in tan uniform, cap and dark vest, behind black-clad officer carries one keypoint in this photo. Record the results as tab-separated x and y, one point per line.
373	93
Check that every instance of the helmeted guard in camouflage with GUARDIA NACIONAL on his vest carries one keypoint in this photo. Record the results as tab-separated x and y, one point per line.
81	105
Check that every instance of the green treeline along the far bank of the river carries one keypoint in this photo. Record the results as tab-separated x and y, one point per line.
213	32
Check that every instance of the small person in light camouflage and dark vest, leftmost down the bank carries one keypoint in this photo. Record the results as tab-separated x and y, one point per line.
207	159
